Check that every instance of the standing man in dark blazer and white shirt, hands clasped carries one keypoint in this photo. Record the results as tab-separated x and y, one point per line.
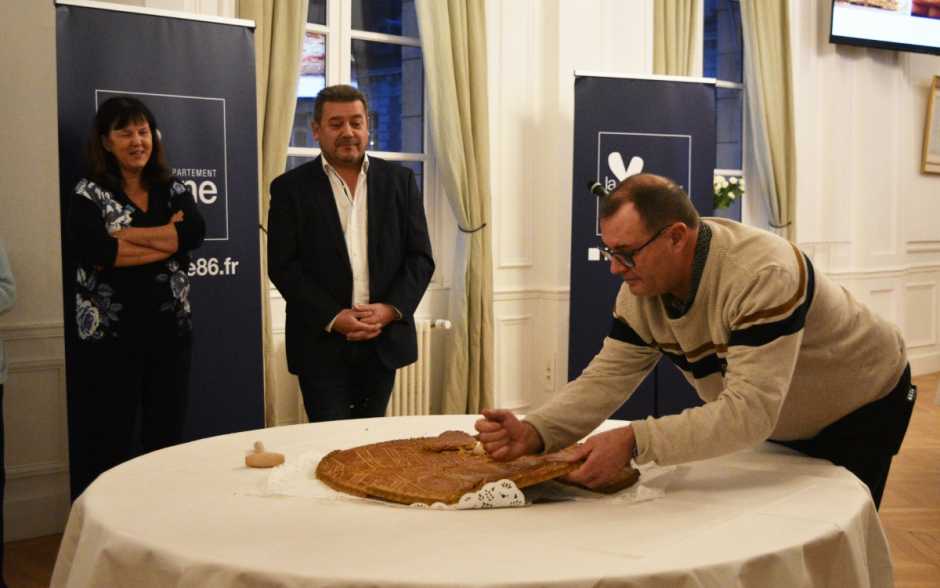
348	248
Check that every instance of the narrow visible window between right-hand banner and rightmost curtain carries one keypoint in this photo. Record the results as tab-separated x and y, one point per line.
723	59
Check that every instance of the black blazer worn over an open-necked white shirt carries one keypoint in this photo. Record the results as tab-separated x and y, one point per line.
309	264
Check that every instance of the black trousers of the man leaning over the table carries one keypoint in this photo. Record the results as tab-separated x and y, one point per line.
865	441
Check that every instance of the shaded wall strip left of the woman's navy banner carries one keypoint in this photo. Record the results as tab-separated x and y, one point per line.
34	403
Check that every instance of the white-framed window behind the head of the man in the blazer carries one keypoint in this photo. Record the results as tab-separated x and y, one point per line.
373	45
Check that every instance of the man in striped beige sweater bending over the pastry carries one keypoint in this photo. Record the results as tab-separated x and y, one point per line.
776	351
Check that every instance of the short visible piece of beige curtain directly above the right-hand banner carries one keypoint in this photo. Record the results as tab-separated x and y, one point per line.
677	37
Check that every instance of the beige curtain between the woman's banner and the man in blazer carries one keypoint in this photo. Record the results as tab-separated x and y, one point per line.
279	33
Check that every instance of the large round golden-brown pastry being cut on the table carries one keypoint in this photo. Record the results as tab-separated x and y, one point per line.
436	469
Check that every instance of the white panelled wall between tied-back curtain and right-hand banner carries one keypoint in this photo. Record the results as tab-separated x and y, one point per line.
535	46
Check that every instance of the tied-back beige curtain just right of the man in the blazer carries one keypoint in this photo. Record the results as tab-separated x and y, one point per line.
453	38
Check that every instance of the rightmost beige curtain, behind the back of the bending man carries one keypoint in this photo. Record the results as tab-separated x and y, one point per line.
770	146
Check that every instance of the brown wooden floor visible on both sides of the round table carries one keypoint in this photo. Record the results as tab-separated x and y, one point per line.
910	509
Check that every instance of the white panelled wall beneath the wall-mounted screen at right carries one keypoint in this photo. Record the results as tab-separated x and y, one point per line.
864	211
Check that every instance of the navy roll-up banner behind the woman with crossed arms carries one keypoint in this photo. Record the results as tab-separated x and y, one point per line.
198	78
